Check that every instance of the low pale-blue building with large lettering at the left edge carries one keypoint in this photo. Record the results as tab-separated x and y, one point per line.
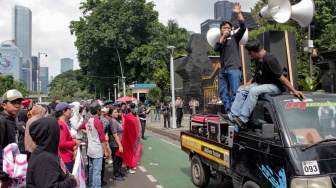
11	60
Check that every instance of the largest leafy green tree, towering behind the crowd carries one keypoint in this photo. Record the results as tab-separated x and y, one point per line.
109	31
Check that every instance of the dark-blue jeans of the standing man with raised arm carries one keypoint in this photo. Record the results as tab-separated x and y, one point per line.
229	81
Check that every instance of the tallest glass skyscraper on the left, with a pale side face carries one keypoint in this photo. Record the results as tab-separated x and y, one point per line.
22	35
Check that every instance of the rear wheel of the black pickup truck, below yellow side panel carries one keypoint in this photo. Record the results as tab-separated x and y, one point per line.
200	173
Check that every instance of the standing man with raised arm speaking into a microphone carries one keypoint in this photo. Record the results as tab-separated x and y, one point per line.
228	48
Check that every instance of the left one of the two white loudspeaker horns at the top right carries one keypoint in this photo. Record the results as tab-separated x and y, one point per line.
280	11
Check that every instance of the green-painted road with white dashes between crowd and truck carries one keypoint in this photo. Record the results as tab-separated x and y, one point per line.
163	164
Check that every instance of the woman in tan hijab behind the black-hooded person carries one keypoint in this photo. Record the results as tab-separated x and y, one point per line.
38	111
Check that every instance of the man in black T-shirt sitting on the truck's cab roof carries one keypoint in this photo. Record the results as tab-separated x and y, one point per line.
268	78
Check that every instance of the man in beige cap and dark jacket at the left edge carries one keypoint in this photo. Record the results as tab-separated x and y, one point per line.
11	103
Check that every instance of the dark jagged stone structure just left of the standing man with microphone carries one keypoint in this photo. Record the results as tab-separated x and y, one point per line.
193	67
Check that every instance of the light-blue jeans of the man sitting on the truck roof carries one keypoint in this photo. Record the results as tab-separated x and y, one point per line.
247	98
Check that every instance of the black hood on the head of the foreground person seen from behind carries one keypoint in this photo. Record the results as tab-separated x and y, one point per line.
46	133
